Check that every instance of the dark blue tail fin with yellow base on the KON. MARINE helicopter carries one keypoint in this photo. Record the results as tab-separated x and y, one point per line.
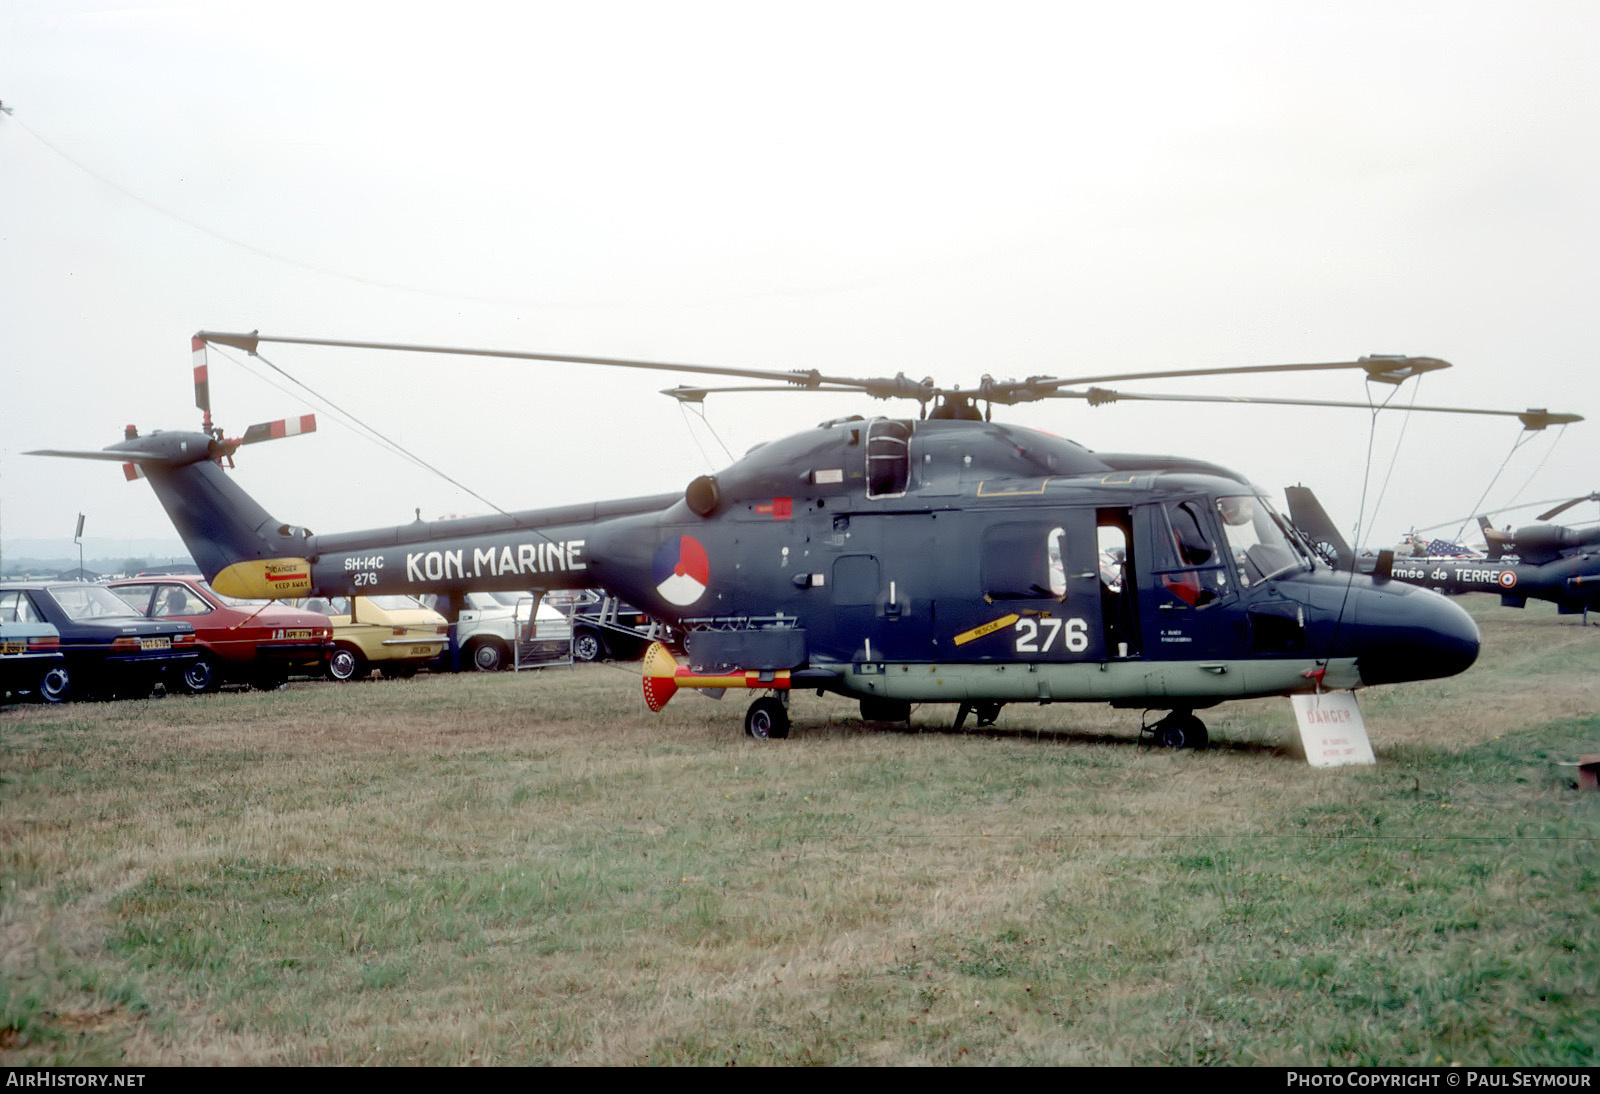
238	545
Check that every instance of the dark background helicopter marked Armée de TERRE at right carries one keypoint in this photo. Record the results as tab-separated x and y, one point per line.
1537	562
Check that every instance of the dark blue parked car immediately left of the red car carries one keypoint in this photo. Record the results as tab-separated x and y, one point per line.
108	649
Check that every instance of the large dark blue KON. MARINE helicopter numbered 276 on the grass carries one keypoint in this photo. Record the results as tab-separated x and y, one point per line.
895	561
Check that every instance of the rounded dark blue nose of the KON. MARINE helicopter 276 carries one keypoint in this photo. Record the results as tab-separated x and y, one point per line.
1412	634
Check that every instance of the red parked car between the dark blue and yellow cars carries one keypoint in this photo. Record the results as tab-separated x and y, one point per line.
257	642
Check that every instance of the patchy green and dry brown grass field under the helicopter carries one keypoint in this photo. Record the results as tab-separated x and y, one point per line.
535	869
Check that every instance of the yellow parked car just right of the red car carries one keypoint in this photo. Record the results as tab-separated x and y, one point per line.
394	634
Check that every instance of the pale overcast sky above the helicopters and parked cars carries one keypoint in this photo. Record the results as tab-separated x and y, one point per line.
862	188
